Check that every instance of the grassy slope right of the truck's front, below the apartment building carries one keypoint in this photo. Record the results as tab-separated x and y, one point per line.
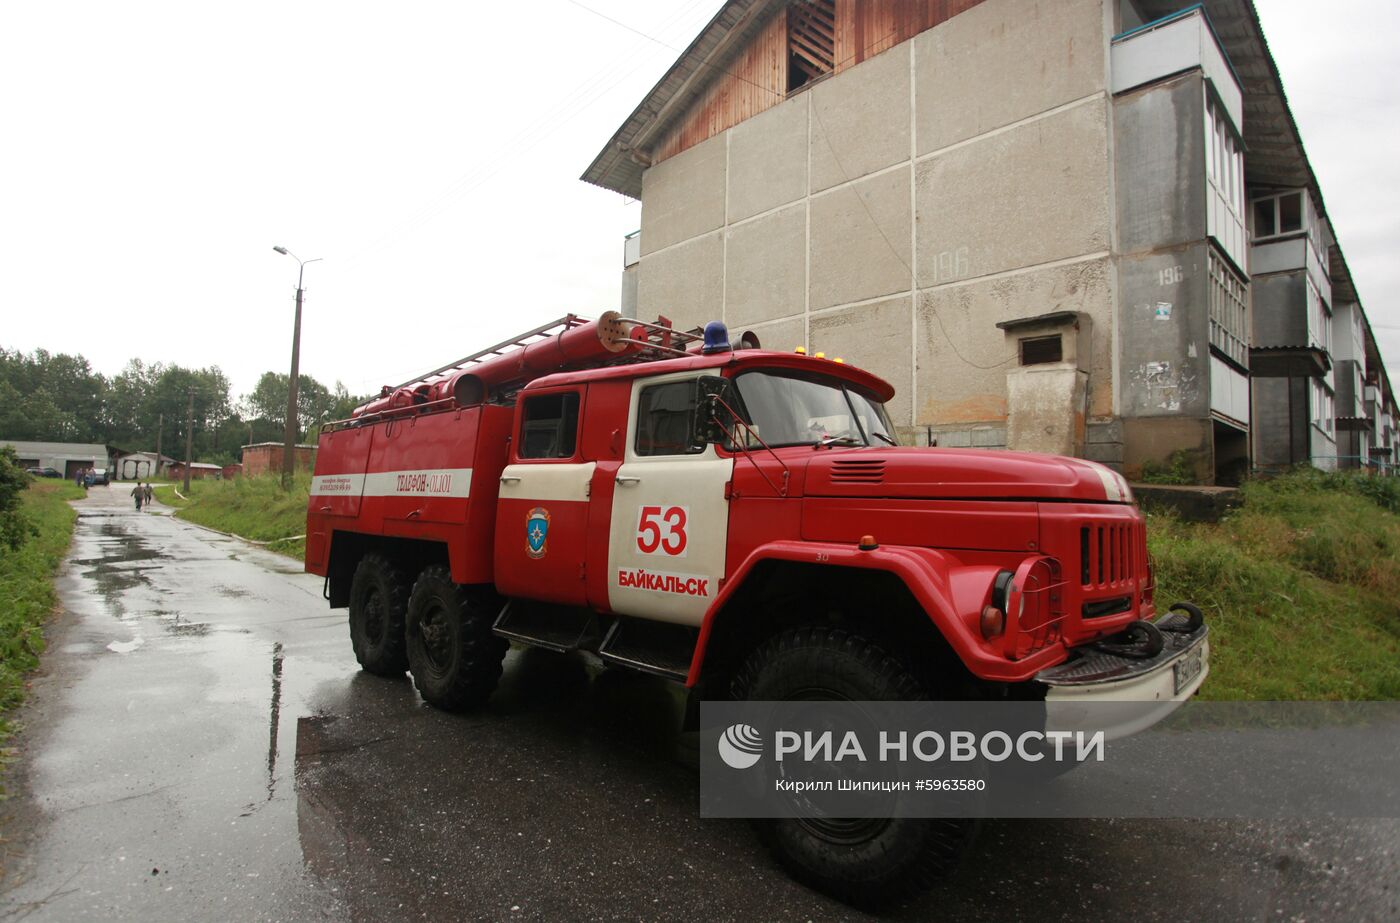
1301	588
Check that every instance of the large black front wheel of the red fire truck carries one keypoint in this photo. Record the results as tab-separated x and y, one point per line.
860	861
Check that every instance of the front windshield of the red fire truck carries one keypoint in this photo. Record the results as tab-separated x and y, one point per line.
790	408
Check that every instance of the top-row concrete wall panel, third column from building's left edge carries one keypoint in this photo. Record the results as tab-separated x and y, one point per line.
860	120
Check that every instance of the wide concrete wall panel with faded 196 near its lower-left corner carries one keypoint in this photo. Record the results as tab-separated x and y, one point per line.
1031	195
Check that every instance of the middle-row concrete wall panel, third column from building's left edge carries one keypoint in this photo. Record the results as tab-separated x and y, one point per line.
860	242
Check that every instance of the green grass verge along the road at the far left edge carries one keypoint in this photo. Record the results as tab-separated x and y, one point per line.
27	588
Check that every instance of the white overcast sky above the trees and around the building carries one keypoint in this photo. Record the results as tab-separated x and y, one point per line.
153	155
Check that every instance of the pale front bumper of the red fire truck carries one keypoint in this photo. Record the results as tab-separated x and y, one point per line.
1125	695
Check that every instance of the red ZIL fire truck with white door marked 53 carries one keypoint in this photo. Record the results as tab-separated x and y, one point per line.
741	522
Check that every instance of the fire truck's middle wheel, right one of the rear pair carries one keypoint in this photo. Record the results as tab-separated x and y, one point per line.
454	658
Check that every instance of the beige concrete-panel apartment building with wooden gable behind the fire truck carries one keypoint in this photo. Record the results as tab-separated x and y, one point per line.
1035	218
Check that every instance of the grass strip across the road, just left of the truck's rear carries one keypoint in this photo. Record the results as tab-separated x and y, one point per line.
251	508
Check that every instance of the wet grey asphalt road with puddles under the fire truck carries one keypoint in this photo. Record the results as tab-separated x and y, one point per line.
199	744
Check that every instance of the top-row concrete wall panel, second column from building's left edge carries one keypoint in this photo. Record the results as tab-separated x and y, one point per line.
768	160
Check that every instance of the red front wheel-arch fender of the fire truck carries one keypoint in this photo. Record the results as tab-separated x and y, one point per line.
922	571
